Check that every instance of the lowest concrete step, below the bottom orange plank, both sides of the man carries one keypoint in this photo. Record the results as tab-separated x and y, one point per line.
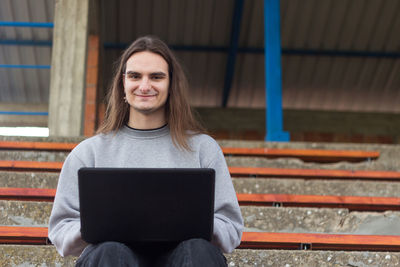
46	256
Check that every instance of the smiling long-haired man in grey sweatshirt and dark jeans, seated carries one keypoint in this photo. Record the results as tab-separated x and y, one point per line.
148	123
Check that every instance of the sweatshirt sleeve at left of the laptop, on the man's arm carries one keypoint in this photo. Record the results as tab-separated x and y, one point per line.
64	224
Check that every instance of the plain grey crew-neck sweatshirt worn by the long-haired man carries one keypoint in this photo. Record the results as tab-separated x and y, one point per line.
147	149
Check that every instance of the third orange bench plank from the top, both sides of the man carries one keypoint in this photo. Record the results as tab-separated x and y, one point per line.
350	202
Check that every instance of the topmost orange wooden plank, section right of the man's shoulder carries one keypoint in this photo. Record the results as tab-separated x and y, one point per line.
316	155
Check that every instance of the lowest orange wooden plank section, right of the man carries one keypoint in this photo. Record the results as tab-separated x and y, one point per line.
263	240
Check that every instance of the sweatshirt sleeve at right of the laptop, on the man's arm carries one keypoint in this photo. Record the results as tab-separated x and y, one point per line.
228	221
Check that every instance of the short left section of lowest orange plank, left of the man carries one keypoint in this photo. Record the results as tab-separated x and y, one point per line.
23	235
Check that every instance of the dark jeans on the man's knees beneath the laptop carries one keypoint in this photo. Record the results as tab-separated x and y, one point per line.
193	252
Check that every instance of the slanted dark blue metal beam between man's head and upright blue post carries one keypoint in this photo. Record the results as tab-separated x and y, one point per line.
233	49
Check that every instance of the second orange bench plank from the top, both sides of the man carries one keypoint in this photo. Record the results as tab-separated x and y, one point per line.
11	165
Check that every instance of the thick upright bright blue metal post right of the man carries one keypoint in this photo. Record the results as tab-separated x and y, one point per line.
273	73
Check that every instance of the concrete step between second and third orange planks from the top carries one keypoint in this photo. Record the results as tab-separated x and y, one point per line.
242	185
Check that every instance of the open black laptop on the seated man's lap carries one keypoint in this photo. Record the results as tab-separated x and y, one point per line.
145	205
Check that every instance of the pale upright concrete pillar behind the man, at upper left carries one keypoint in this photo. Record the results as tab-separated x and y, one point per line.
68	67
